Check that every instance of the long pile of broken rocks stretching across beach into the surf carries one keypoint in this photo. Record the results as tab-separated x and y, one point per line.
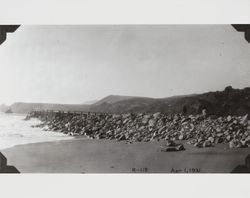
198	130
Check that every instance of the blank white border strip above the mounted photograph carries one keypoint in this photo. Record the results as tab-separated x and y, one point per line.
124	11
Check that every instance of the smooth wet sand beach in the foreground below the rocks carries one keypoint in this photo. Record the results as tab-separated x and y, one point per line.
107	156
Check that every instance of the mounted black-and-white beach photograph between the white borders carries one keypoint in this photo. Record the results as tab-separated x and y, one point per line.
170	98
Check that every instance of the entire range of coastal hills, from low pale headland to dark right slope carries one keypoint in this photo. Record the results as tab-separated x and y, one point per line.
229	101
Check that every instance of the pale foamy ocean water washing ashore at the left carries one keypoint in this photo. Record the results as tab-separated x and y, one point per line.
14	130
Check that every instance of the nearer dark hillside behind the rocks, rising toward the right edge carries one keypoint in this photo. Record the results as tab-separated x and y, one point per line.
229	101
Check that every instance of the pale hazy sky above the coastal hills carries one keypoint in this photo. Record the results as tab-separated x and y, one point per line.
75	64
